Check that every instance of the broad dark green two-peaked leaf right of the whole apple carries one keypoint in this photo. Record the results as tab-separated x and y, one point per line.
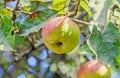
103	45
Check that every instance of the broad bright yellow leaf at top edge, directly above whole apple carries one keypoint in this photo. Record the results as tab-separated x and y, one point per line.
60	5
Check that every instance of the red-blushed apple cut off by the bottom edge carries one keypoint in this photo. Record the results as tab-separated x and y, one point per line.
94	69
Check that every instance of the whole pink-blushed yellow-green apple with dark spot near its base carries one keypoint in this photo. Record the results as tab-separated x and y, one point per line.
61	35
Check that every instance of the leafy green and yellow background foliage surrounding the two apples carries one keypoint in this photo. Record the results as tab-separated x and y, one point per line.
21	22
